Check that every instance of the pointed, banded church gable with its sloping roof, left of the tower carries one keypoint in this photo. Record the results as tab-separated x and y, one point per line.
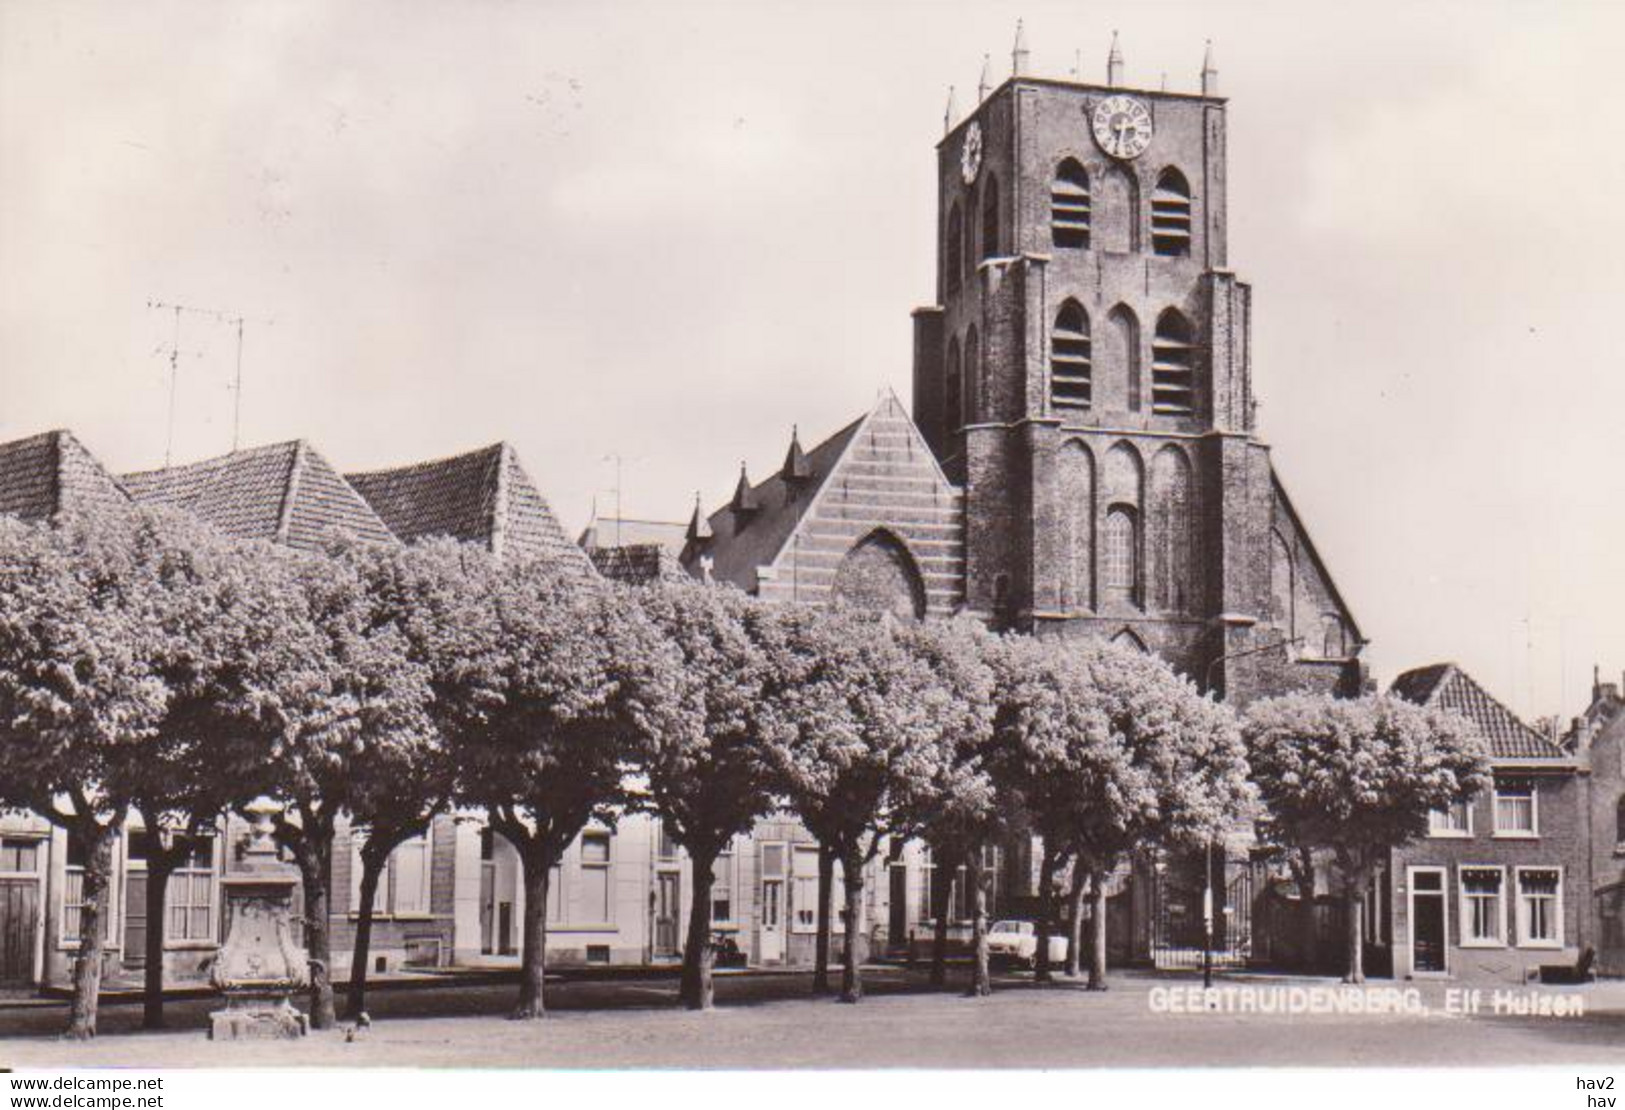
875	480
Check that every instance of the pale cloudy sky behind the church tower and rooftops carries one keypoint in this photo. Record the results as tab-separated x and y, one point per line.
672	232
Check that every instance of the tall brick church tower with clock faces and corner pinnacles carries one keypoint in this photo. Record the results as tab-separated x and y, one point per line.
1086	378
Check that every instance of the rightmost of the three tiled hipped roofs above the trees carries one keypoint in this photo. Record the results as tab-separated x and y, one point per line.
483	496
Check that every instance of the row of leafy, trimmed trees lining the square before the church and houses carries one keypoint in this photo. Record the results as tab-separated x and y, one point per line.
149	666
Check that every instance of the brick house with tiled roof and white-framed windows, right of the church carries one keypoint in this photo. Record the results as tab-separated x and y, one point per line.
1499	887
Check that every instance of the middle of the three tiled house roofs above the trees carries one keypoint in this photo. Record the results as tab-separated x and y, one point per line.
284	493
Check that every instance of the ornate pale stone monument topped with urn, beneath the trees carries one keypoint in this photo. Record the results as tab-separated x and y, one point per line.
259	968
